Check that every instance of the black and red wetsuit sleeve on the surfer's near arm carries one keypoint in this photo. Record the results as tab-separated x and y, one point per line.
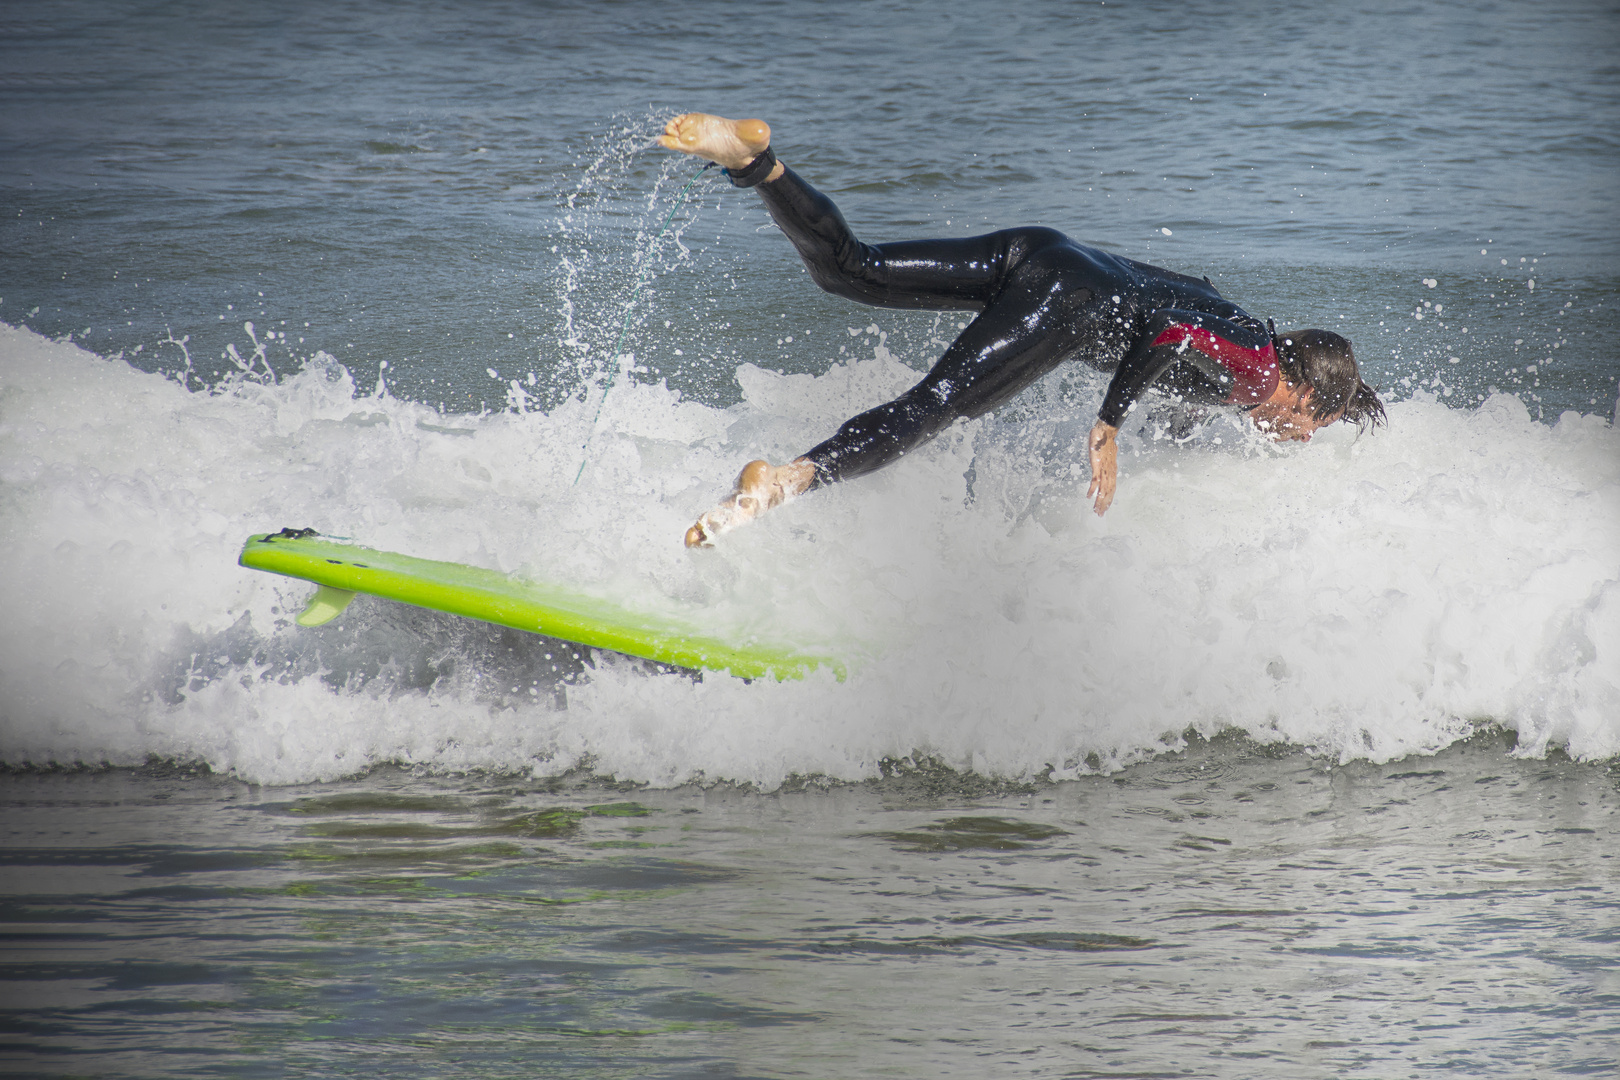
1232	362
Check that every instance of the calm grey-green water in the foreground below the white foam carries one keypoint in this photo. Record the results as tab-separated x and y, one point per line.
1217	914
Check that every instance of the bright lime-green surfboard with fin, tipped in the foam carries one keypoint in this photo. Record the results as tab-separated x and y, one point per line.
341	571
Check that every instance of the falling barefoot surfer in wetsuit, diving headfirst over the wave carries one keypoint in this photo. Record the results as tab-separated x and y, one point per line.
1041	299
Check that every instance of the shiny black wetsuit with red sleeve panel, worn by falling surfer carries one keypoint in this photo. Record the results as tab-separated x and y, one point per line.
1041	300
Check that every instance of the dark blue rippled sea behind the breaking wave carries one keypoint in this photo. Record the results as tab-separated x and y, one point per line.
388	181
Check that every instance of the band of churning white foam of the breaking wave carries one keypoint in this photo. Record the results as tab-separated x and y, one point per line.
1368	598
